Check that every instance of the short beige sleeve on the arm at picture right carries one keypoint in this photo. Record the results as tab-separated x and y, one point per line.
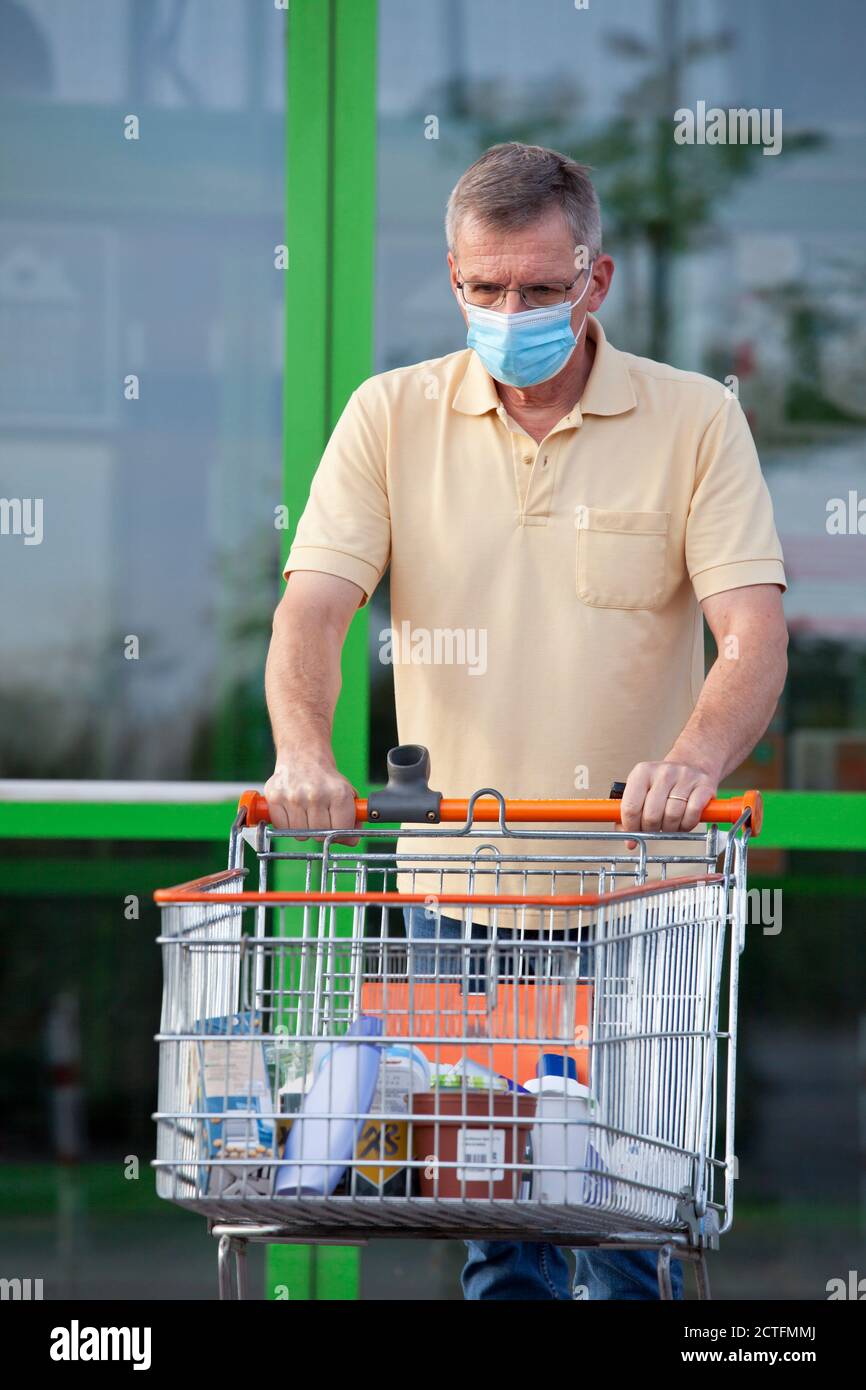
730	534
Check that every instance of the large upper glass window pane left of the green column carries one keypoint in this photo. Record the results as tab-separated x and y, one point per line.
140	394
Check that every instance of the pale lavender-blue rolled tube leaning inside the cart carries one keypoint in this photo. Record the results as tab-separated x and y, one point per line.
323	1136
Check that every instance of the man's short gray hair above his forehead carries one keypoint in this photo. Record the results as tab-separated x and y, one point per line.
514	186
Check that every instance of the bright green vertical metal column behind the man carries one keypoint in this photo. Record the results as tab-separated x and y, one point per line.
329	351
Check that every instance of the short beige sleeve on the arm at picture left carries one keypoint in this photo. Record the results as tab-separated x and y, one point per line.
345	528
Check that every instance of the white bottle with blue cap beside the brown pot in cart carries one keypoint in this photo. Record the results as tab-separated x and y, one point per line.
559	1139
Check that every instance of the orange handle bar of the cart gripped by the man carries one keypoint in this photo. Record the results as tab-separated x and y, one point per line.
721	811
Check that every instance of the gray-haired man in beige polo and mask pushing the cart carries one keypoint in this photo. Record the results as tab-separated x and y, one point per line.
582	508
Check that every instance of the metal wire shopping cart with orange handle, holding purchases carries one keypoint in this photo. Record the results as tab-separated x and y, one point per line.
548	1054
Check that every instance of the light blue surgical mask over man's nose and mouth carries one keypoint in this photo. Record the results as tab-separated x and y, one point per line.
529	348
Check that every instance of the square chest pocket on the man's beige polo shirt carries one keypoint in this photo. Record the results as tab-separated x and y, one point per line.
622	558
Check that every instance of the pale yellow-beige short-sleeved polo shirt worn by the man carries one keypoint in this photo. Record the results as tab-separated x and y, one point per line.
546	598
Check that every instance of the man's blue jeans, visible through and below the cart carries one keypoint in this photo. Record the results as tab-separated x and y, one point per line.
509	1270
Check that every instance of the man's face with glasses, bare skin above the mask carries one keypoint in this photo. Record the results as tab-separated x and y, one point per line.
539	255
